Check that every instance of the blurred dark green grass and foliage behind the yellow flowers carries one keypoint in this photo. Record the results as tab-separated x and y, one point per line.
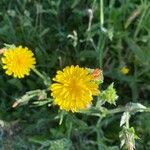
109	37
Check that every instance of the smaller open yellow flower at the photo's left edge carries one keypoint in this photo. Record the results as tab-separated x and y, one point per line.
18	61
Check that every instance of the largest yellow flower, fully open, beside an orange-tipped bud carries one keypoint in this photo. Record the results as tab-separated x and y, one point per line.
74	88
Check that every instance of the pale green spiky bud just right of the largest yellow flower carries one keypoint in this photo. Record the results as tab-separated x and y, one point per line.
109	95
